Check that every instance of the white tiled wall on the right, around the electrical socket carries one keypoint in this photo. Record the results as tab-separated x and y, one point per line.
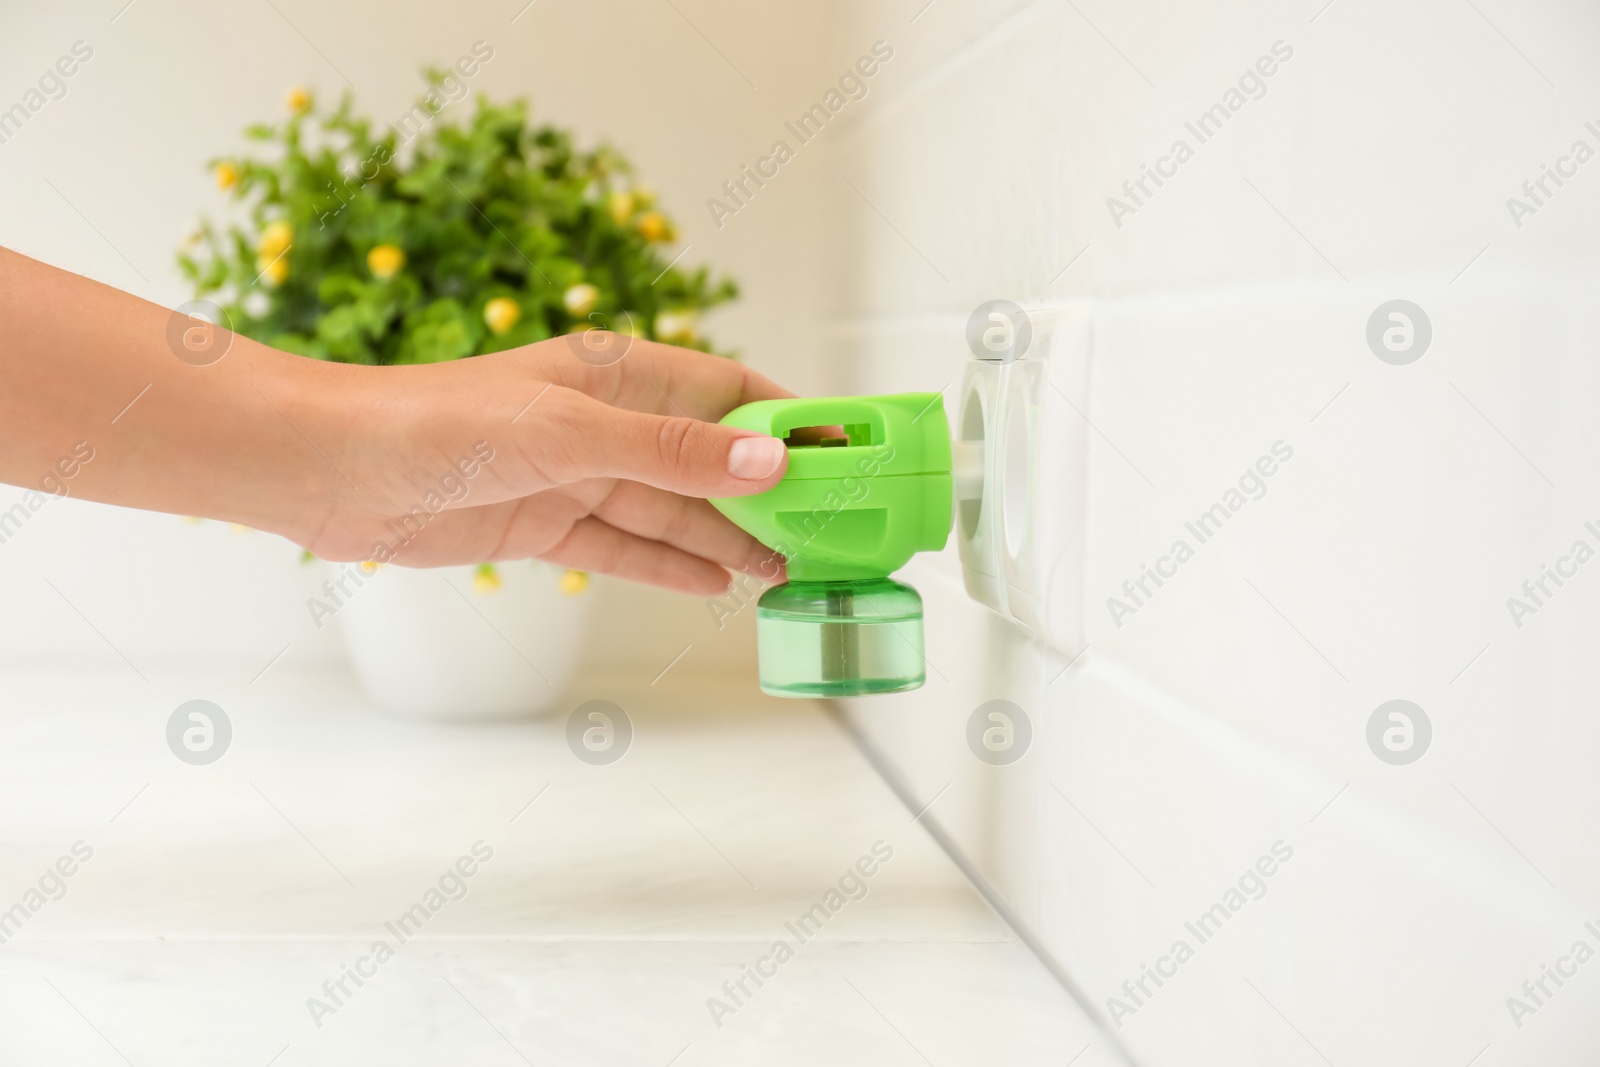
1230	314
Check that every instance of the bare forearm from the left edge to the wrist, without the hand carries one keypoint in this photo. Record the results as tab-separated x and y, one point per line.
95	404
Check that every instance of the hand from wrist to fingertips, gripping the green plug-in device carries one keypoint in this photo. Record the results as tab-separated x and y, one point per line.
540	452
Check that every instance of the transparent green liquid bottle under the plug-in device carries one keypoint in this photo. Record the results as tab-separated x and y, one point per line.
841	639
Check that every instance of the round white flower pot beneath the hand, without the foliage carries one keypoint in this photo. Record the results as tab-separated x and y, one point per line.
428	645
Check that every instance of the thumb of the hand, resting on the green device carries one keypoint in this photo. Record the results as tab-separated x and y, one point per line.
673	454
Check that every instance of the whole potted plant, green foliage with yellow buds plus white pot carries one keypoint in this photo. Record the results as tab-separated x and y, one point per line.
433	242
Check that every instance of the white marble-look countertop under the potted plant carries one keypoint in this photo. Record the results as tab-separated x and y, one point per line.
220	898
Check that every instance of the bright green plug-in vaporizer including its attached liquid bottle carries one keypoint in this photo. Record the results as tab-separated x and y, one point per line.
868	489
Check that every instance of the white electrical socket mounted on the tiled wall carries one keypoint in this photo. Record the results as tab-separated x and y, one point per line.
1020	522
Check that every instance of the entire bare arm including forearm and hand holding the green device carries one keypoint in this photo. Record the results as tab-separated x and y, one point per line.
542	452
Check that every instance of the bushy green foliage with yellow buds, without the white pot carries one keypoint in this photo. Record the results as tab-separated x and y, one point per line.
487	209
